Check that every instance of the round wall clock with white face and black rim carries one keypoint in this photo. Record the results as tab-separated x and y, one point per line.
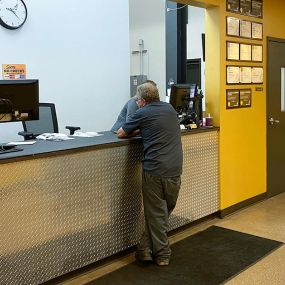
13	13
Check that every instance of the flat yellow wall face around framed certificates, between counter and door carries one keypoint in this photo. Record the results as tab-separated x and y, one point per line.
242	135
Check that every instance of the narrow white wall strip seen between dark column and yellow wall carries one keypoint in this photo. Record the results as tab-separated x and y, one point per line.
195	29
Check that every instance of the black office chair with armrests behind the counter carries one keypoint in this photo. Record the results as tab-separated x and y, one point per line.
47	123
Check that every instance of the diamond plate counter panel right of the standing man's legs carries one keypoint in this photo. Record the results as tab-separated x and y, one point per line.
198	196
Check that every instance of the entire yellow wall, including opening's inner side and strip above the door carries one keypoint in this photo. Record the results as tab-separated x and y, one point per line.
242	131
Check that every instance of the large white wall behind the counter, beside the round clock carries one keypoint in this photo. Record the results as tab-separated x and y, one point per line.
80	53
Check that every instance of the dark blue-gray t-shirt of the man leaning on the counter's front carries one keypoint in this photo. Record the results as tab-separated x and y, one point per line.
161	137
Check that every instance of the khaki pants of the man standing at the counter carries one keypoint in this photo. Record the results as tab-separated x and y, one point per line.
159	198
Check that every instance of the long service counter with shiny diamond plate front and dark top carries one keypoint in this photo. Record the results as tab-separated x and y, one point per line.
68	204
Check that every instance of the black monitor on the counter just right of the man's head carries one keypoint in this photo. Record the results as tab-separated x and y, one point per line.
181	96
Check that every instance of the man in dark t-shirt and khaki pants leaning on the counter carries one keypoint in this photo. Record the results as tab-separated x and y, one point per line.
162	168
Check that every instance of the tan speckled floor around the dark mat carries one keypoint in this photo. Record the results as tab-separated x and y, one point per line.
264	219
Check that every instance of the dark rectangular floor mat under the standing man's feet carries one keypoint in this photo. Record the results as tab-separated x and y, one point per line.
209	257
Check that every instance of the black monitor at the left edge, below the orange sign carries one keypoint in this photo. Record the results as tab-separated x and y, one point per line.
19	100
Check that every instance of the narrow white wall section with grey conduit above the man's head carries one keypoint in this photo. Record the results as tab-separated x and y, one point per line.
147	22
